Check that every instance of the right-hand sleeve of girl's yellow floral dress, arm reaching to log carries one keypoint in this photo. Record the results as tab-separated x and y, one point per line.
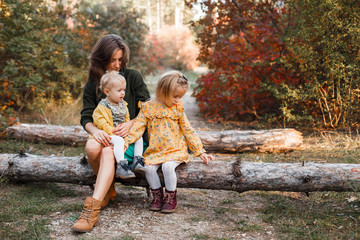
193	141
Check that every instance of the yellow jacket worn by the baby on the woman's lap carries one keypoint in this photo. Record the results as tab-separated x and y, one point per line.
103	118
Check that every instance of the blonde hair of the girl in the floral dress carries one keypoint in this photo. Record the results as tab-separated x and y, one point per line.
168	83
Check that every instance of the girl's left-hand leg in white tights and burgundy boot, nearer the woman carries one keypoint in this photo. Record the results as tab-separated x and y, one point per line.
154	181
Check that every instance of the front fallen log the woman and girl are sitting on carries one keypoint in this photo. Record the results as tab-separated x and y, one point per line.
238	175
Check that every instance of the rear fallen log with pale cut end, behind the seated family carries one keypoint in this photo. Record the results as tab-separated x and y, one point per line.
275	140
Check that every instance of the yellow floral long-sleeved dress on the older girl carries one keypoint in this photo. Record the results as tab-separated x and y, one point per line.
169	131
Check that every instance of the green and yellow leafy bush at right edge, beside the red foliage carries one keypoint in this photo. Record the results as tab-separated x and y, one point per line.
324	51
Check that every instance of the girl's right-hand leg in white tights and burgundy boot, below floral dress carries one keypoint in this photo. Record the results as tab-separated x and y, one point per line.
170	178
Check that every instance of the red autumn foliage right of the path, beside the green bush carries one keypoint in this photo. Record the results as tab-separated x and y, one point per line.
241	41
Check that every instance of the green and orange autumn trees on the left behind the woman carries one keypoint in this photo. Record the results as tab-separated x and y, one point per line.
44	49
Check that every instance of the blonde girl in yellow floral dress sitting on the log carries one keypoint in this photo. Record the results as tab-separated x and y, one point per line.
169	135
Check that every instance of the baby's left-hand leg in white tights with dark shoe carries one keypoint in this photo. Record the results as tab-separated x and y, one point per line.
123	170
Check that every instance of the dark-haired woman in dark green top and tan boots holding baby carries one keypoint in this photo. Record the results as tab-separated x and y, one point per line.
109	54
